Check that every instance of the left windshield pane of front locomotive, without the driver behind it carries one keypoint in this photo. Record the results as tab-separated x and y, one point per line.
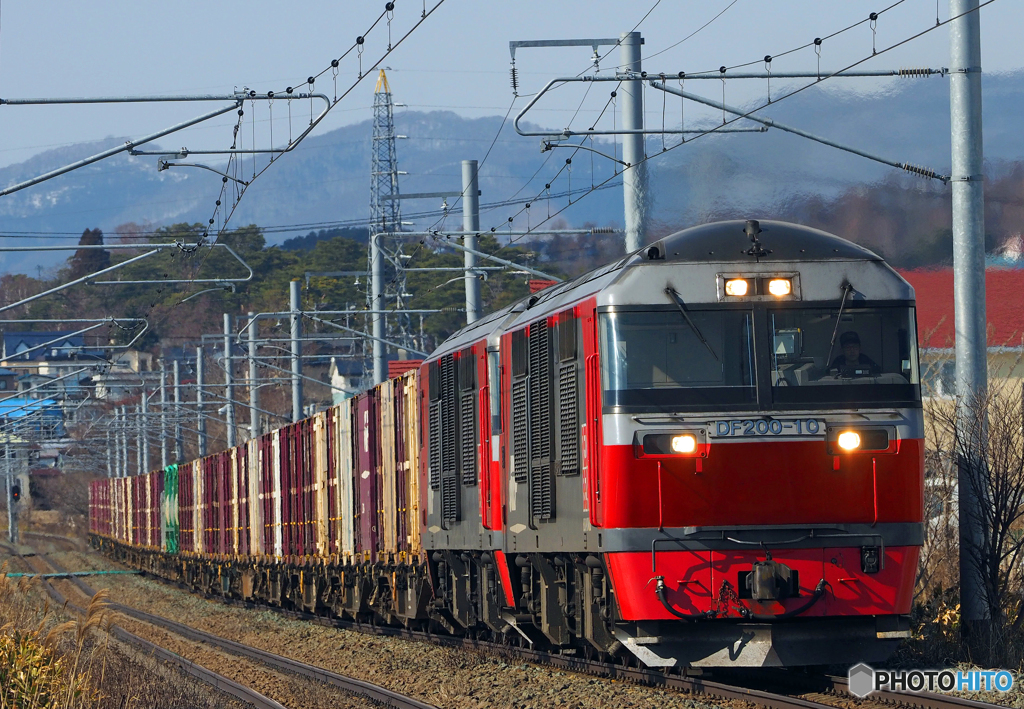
661	359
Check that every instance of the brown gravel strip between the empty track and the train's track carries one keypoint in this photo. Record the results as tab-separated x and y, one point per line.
444	677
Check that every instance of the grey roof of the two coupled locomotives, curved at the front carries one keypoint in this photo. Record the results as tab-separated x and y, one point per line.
720	242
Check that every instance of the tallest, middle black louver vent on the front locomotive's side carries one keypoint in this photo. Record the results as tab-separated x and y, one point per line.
541	485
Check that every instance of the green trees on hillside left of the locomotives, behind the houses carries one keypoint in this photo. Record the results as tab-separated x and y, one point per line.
180	313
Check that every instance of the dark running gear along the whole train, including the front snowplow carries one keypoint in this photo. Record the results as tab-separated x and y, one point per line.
563	603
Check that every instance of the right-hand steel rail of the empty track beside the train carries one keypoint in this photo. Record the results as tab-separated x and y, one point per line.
373	692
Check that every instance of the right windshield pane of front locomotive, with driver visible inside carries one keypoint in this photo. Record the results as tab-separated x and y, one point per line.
862	355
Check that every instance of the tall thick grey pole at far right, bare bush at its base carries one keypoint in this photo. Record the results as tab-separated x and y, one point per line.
969	281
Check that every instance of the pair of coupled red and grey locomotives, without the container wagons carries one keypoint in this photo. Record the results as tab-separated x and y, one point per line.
709	453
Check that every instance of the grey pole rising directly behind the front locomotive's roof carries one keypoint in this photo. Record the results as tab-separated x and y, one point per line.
634	177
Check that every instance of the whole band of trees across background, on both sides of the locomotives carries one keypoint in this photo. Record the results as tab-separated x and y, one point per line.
905	220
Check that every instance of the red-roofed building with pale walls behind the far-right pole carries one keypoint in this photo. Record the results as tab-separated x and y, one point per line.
1005	313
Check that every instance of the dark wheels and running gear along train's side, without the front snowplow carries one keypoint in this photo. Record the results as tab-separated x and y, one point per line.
562	602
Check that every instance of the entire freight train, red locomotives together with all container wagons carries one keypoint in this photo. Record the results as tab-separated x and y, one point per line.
706	454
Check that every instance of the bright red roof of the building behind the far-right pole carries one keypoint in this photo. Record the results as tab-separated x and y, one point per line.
1004	307
